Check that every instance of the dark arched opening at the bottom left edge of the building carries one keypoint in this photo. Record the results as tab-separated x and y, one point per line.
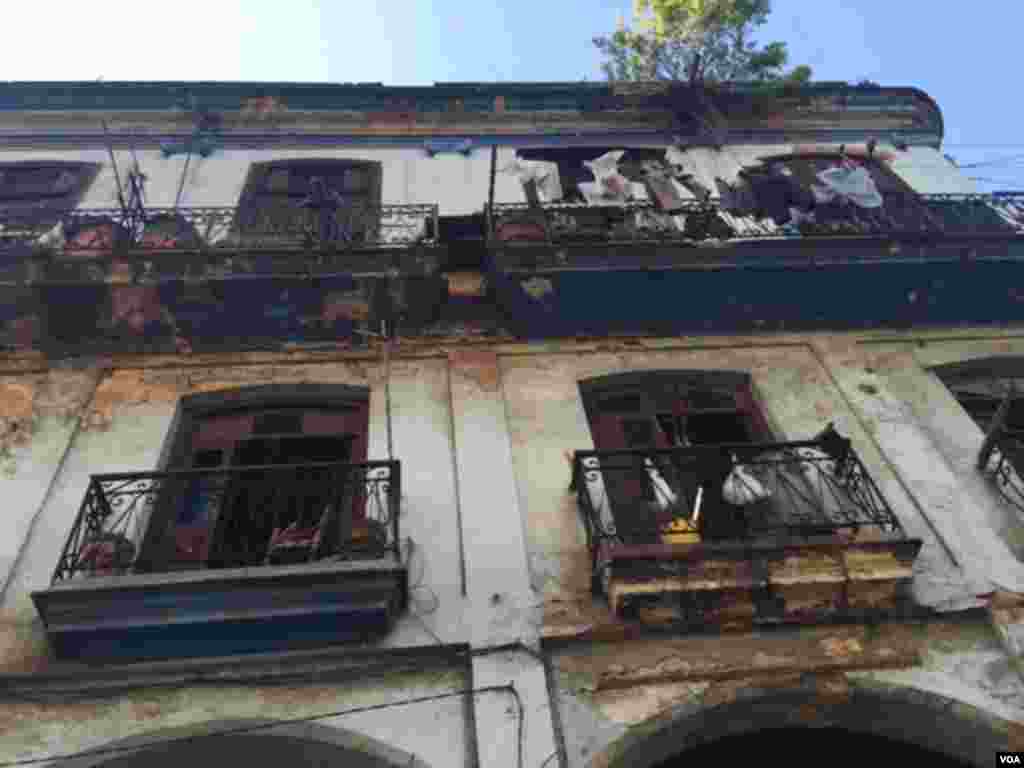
254	744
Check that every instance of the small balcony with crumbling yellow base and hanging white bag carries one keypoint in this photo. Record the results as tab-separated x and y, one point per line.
748	534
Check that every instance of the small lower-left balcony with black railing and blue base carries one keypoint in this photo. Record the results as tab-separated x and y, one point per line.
217	563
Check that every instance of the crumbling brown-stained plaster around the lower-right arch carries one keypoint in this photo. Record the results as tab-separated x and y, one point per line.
609	710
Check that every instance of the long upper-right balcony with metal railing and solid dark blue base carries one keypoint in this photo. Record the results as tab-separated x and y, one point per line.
596	271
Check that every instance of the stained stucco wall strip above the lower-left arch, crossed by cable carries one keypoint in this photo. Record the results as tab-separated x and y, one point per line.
433	730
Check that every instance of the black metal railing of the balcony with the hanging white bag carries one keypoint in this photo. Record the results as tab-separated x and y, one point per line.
707	494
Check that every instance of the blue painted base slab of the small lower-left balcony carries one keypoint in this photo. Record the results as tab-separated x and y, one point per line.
210	614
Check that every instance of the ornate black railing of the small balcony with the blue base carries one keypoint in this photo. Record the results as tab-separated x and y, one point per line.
236	518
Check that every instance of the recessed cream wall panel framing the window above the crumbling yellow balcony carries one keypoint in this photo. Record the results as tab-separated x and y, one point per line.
797	393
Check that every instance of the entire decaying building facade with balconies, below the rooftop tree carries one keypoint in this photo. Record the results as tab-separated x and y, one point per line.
502	424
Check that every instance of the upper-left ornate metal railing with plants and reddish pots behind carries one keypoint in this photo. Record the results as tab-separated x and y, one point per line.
95	232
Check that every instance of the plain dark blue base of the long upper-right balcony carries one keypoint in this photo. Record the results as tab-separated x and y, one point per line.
769	294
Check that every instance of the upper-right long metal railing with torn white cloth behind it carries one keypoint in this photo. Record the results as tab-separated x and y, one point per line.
954	216
